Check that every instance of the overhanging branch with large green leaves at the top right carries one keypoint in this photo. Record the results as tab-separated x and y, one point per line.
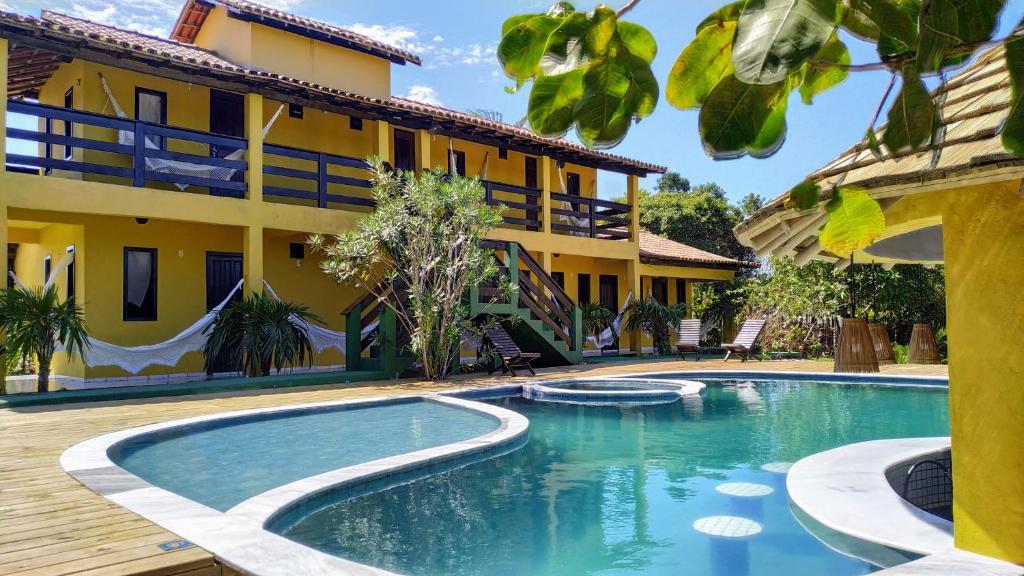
592	72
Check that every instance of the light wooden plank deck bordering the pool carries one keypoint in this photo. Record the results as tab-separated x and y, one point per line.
53	526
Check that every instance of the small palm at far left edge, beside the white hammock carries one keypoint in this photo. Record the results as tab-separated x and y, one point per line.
34	322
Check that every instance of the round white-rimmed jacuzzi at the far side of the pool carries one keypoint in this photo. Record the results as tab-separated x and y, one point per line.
613	391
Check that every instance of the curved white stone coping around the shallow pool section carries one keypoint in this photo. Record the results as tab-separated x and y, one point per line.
234	539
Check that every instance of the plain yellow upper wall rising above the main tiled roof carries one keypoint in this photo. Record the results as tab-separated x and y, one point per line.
295	56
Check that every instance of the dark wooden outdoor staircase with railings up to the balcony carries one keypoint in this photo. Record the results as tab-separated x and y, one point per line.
542	317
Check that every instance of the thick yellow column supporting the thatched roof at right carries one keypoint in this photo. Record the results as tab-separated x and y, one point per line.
984	238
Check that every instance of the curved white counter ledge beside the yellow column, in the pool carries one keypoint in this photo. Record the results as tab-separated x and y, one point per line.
846	490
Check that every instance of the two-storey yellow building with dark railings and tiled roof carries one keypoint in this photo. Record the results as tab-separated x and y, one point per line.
148	177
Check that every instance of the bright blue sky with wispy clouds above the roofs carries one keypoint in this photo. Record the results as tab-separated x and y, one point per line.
457	40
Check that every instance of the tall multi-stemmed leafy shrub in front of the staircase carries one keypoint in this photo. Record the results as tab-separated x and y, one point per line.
419	254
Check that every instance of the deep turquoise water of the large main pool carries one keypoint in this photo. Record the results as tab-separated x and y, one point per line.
615	490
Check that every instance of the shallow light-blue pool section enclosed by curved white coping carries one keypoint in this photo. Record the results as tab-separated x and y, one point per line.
225	463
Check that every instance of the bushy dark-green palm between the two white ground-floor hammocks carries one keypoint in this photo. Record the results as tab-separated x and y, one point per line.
261	333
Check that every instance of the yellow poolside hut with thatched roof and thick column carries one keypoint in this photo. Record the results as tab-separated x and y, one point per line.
960	204
